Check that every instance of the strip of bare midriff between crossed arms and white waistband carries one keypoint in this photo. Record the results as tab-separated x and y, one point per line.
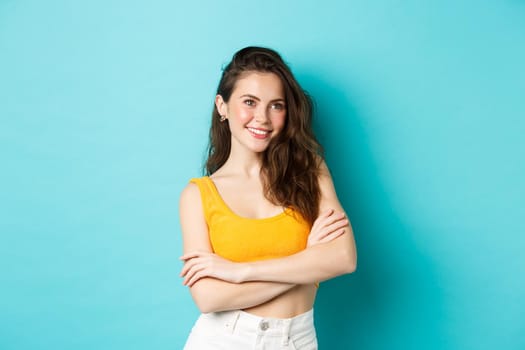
296	301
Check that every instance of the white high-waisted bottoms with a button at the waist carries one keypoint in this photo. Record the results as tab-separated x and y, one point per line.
239	330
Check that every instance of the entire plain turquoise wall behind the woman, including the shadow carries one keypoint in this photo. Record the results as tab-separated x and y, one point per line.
104	115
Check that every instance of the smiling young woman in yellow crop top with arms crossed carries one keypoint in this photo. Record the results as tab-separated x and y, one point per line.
264	227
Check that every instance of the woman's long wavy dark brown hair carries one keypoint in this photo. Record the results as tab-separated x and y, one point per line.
291	163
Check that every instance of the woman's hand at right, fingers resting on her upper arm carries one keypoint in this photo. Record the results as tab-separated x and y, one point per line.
328	226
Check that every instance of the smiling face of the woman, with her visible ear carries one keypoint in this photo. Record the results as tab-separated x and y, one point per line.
256	111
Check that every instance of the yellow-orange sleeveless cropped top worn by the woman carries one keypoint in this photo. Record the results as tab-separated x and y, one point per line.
241	239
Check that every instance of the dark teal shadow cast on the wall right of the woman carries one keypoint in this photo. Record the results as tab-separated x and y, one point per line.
393	300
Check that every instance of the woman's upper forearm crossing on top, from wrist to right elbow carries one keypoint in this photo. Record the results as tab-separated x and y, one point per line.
314	264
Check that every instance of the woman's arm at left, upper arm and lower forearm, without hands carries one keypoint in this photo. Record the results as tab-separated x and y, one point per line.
212	294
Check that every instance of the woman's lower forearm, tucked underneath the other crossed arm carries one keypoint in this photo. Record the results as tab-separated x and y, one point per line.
212	295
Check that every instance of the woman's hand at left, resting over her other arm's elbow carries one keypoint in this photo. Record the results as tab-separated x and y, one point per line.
204	264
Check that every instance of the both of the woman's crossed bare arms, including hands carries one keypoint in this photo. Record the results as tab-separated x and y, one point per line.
217	284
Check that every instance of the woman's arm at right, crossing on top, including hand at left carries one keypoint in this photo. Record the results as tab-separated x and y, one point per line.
333	255
